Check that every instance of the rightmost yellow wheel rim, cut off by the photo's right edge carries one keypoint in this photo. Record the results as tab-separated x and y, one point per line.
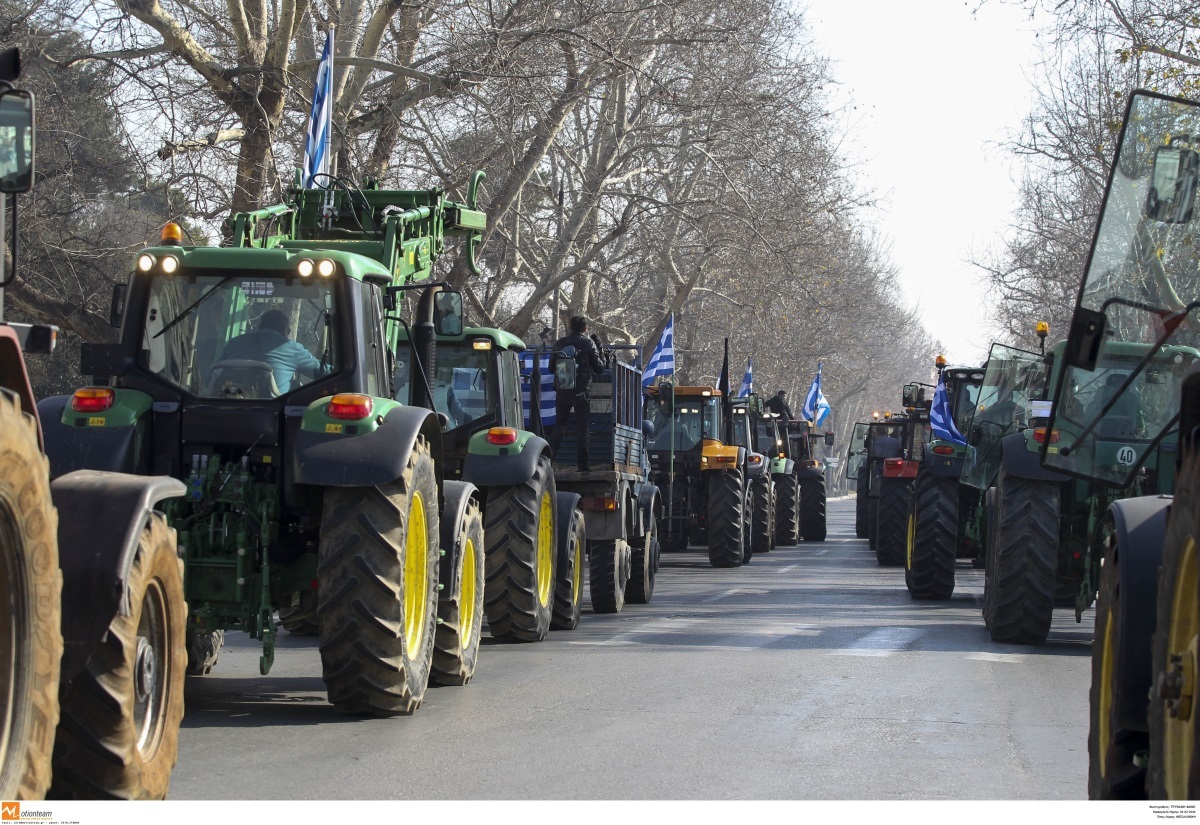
1179	714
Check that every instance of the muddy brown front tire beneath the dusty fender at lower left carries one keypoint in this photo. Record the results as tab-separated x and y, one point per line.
119	734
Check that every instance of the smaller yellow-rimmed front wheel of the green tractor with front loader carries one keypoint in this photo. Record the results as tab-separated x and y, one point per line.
460	604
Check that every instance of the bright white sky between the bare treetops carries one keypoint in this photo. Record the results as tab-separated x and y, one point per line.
935	88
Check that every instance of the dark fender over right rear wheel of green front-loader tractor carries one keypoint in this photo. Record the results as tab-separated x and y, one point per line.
374	459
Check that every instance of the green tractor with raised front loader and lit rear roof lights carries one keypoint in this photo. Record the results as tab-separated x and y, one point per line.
261	377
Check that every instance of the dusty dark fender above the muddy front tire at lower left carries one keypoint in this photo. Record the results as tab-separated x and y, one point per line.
101	517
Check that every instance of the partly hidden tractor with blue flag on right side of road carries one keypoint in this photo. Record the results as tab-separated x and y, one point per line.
940	509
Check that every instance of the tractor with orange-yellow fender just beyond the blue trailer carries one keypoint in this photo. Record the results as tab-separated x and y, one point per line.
701	473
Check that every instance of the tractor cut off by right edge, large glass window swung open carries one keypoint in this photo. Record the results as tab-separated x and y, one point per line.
1126	418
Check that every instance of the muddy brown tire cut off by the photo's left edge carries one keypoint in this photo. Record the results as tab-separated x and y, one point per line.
33	587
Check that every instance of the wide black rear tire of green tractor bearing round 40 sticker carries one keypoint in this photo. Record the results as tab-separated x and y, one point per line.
1019	579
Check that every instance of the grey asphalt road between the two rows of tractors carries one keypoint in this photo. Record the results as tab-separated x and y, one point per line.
809	675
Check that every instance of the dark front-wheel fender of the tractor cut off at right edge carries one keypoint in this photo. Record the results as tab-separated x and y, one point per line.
1141	528
